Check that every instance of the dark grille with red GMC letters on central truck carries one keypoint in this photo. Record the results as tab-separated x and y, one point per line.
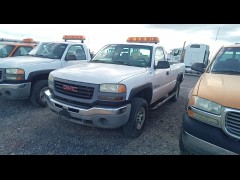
74	90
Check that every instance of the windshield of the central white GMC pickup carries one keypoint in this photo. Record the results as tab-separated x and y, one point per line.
125	54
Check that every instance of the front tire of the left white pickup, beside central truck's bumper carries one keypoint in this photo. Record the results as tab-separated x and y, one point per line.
36	97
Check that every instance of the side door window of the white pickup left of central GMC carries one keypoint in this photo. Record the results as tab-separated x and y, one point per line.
76	52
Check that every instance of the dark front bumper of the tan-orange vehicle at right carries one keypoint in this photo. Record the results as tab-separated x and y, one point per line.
201	138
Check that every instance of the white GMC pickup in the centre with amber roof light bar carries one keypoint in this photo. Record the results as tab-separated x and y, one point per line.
117	87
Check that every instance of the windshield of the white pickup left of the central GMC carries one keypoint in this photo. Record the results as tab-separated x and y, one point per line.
49	50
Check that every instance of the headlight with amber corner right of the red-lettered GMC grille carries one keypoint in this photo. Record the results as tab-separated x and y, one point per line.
113	88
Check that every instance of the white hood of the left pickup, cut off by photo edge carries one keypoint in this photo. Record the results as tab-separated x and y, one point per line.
21	61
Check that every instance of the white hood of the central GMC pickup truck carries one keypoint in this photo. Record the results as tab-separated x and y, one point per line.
98	73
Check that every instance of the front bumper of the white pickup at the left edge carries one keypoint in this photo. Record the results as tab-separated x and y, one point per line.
15	91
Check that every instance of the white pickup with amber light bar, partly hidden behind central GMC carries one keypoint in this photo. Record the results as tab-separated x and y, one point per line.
27	76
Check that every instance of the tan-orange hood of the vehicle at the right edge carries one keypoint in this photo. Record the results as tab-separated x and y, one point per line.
220	88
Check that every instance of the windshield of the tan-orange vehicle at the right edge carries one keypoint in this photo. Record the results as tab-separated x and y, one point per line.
227	61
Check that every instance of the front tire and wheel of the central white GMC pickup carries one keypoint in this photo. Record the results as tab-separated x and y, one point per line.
138	115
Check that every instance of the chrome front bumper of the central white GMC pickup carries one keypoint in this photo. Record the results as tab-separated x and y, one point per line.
103	117
